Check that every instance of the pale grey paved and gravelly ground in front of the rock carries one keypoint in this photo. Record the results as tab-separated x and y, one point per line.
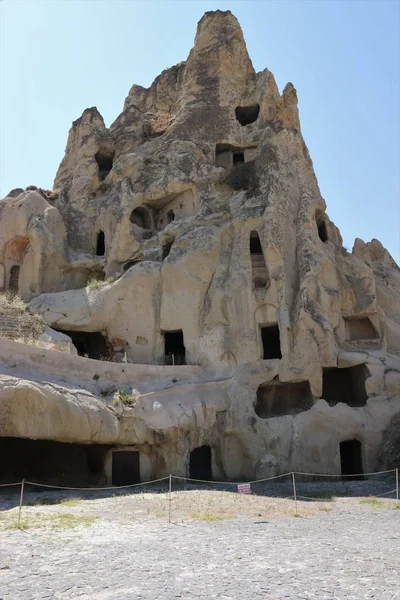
220	545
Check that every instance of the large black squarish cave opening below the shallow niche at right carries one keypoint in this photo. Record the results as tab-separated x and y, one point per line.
345	385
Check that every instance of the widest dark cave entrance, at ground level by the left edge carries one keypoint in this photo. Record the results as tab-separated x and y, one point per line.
56	463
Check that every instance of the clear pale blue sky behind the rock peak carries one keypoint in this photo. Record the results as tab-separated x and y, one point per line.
60	56
